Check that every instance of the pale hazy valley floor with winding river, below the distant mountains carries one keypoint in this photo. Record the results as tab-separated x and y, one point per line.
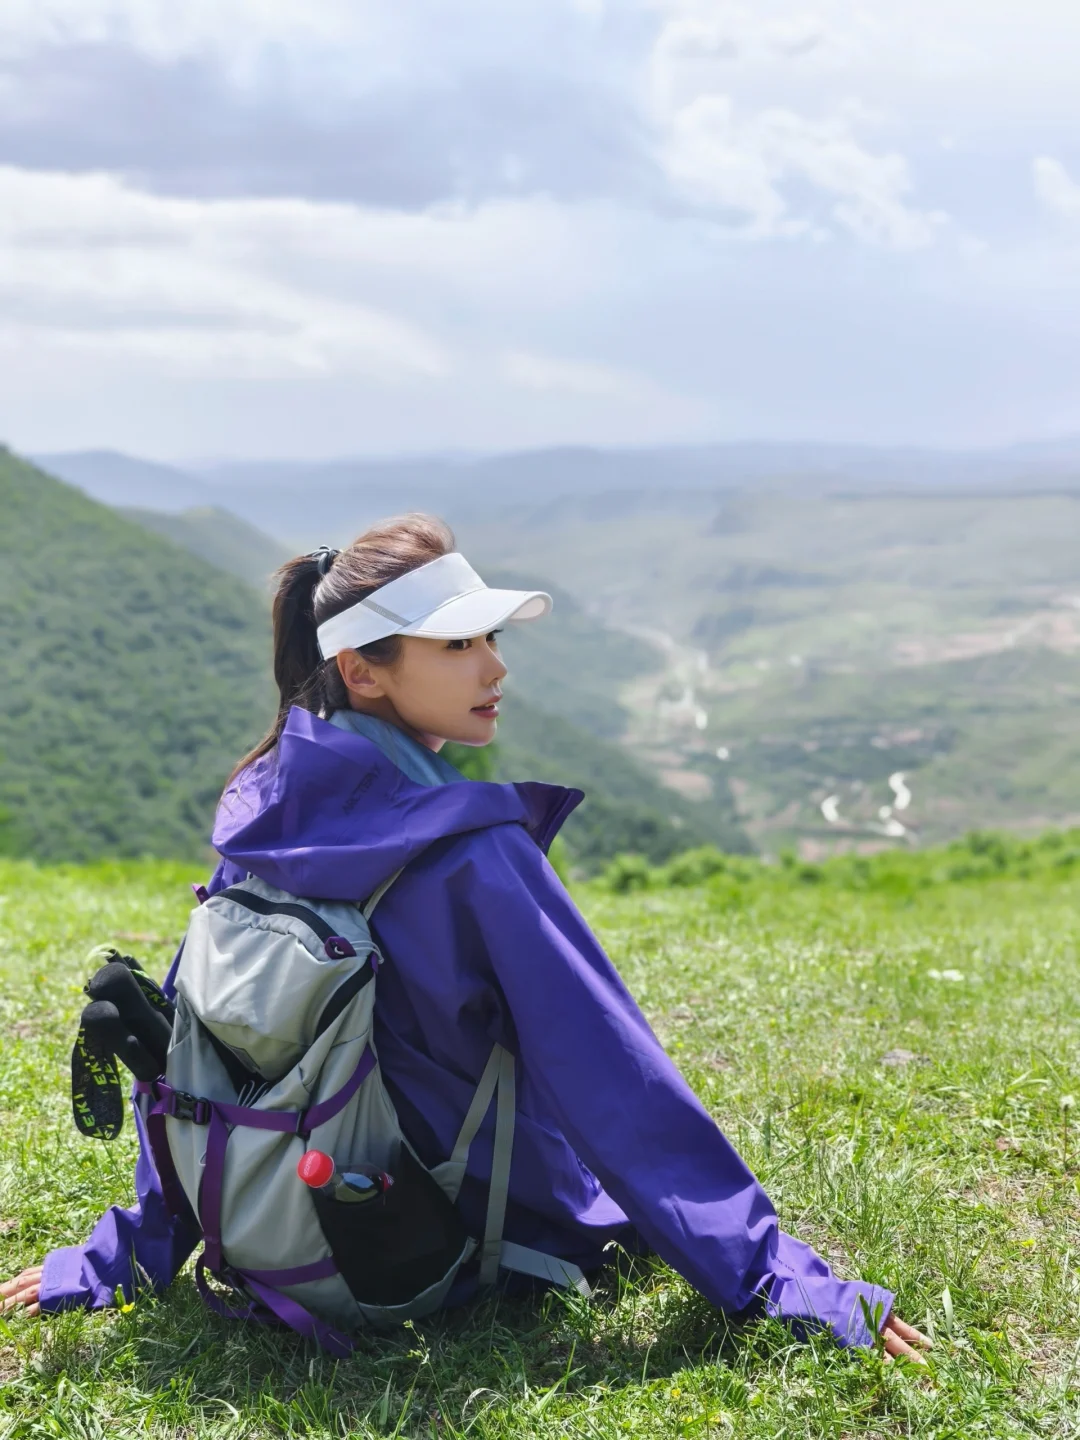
814	639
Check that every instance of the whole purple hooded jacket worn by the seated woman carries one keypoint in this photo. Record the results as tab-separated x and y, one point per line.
486	945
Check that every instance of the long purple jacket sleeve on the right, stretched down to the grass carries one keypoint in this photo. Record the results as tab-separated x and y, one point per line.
627	1111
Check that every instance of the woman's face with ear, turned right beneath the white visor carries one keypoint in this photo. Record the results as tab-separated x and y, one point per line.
440	690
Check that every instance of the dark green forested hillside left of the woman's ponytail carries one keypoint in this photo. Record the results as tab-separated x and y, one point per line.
132	679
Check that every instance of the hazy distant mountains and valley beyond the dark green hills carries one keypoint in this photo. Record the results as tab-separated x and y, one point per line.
850	649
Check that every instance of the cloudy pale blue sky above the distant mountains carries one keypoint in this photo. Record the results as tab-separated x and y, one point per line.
328	227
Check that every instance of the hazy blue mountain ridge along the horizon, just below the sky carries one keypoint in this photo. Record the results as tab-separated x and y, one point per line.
307	503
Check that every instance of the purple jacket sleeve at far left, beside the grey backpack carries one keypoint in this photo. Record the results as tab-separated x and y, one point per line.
126	1251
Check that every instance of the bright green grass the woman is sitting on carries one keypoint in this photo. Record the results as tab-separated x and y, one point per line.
953	1177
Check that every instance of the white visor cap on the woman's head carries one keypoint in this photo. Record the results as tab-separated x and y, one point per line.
444	600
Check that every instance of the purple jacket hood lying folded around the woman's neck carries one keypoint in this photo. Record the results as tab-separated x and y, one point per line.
329	814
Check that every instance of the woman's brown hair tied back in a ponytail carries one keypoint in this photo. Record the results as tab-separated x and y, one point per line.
316	587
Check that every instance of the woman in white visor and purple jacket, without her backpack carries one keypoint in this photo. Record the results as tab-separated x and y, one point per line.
384	653
